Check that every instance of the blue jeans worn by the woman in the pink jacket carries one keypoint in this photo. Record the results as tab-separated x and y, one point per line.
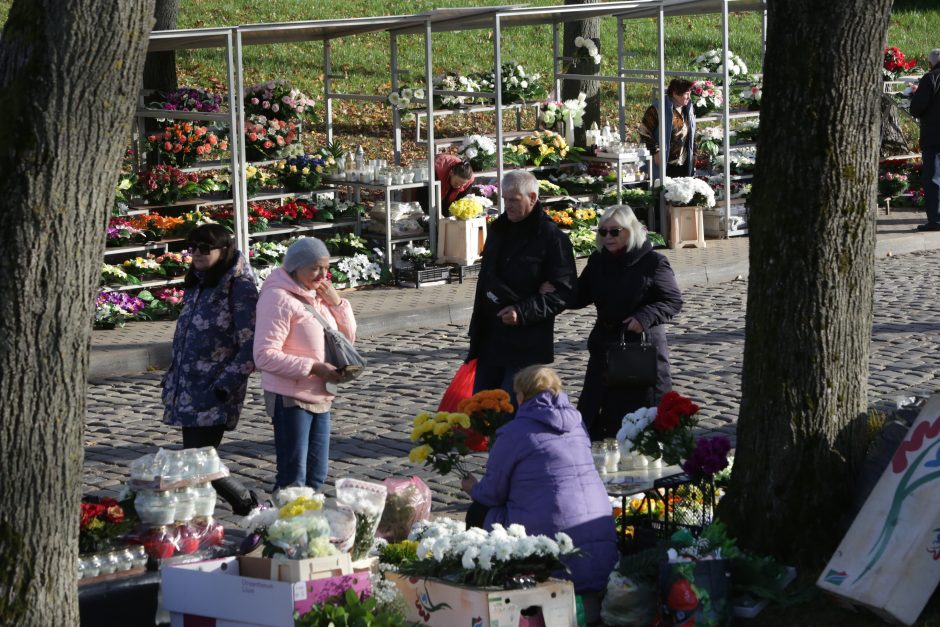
302	446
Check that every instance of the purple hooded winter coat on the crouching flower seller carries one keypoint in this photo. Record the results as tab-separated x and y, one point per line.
541	475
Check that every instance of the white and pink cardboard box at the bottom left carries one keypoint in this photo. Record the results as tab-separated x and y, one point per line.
215	590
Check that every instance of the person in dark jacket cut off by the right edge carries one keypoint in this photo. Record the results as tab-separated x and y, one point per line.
925	106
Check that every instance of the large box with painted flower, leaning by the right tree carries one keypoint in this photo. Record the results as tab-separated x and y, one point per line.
889	561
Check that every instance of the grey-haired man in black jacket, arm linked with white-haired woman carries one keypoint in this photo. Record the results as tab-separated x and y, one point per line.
513	325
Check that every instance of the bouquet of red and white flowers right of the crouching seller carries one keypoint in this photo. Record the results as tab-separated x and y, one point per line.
664	431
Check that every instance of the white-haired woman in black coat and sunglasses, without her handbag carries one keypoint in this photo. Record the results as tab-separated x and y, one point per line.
634	288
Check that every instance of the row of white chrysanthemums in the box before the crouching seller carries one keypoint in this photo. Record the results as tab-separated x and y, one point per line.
474	557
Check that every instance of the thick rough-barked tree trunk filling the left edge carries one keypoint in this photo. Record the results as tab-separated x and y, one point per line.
69	76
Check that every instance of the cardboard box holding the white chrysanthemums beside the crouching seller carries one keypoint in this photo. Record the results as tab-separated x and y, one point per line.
439	604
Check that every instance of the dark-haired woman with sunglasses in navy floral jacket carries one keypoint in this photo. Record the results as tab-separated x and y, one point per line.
205	385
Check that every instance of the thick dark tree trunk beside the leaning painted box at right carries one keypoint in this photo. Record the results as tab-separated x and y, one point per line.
802	421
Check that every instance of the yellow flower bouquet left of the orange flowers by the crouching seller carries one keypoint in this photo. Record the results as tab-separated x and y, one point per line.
442	439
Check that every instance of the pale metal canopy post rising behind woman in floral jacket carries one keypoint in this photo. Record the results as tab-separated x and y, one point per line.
237	142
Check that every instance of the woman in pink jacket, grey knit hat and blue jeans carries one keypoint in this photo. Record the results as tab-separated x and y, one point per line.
298	384
